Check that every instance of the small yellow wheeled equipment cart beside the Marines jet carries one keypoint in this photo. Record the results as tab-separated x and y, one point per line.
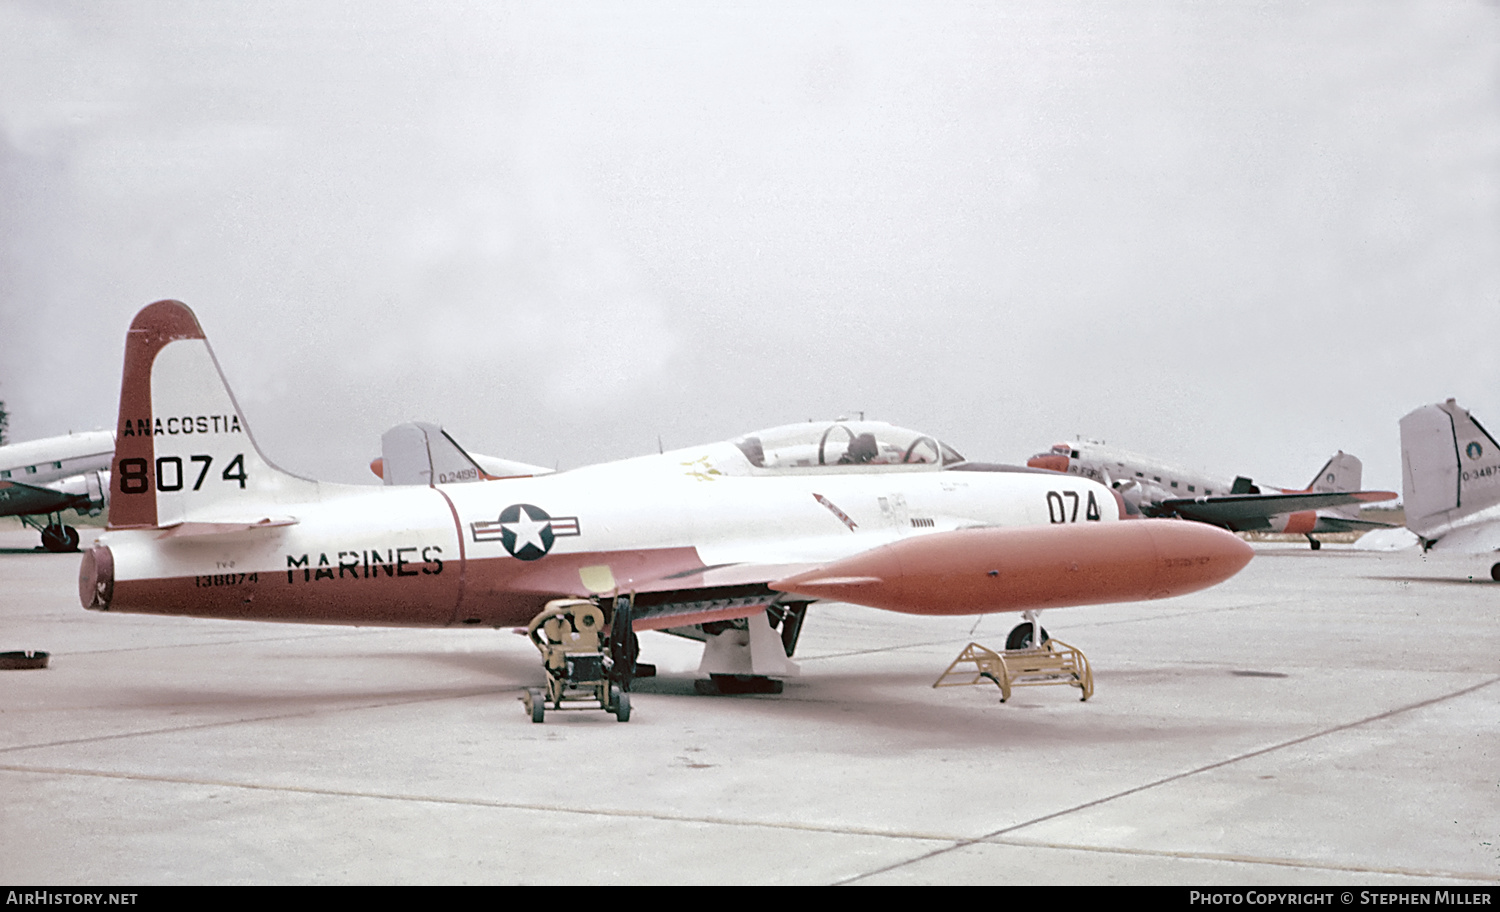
581	674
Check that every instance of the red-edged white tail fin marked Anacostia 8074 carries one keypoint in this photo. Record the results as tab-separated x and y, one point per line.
182	446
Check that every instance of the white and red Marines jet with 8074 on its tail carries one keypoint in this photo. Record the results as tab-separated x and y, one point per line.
722	542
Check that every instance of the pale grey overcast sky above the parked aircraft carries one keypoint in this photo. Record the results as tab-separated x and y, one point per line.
1238	236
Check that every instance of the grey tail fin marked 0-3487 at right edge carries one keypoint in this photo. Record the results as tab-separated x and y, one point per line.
1450	467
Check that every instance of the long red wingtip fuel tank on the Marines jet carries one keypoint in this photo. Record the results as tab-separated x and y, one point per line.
1015	569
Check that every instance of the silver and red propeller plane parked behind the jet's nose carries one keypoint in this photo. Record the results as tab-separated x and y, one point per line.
1328	505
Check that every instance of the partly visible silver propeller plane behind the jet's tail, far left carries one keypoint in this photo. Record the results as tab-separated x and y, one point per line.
44	478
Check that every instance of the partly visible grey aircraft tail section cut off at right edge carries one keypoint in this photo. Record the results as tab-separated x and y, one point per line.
1451	482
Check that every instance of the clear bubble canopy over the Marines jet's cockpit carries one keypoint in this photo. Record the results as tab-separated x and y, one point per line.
844	446
